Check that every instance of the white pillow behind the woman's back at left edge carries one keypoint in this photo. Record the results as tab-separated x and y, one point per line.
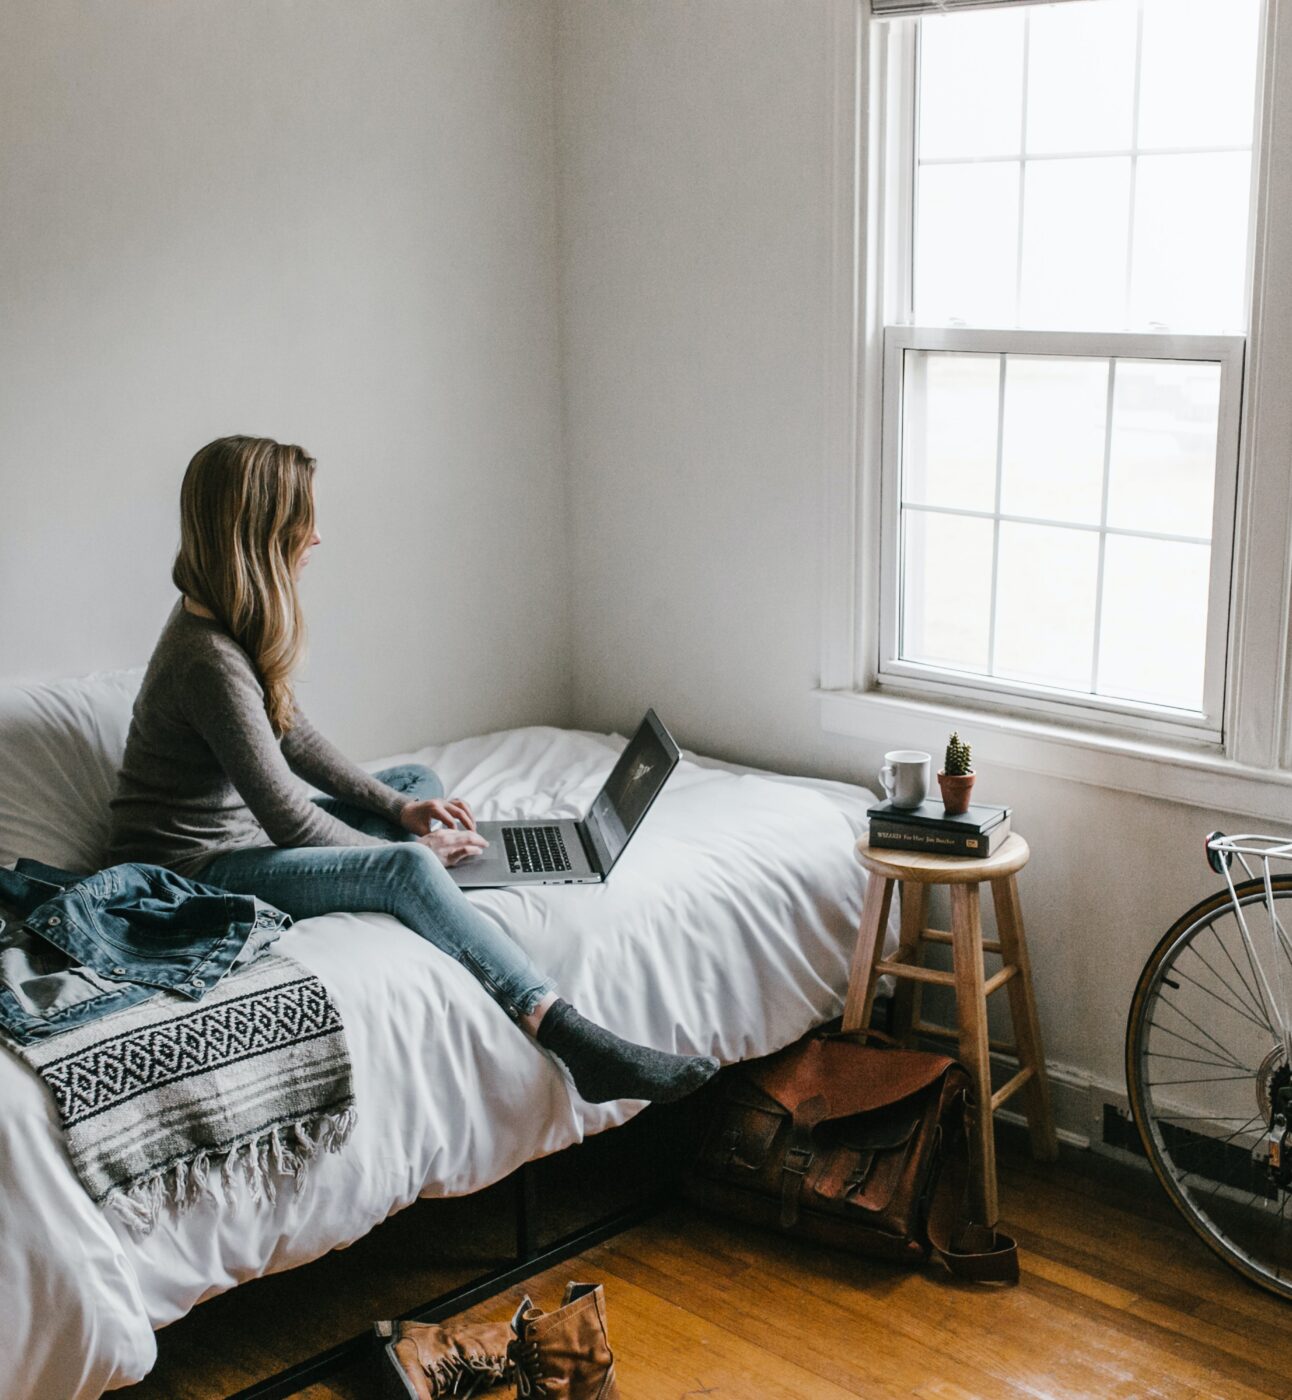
61	750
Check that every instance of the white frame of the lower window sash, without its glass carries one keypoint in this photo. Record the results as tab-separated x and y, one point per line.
925	680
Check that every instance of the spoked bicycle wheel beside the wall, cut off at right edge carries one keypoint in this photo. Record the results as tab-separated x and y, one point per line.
1203	1066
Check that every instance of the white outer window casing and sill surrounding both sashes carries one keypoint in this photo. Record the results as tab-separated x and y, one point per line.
1254	771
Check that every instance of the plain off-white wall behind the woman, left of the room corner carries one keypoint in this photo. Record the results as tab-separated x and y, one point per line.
318	220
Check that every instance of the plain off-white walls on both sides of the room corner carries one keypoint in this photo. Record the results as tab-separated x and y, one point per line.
338	223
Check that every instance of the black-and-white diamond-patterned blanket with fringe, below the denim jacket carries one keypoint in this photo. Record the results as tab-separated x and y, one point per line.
166	1101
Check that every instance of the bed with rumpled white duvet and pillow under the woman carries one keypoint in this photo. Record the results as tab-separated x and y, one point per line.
724	930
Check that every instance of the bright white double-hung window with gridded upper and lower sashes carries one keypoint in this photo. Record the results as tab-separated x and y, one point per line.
1066	297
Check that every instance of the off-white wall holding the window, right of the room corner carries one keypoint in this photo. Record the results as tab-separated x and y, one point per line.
695	157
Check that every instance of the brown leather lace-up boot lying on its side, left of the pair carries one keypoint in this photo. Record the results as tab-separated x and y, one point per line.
422	1361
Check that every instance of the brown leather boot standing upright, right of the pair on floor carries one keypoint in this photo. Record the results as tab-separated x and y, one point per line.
565	1354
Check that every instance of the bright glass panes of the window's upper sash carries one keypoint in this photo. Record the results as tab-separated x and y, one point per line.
1067	232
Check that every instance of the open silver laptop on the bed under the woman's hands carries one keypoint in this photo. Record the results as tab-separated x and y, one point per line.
563	852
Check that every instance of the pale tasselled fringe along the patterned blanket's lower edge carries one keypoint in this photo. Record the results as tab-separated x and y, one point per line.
255	1165
